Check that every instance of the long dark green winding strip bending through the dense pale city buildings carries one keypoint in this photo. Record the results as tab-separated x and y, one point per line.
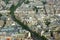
34	34
